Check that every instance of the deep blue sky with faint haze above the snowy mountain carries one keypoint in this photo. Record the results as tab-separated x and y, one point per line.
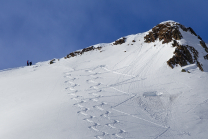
40	30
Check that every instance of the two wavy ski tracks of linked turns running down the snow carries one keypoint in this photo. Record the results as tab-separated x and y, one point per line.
97	106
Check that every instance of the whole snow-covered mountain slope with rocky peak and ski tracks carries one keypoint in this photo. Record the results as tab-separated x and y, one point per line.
134	87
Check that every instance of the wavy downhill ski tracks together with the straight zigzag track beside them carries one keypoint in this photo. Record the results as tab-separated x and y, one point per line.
95	110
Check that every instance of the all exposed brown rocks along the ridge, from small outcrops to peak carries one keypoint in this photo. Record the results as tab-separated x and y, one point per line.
166	32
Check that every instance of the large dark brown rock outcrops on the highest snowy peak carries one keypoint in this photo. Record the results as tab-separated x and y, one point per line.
169	31
